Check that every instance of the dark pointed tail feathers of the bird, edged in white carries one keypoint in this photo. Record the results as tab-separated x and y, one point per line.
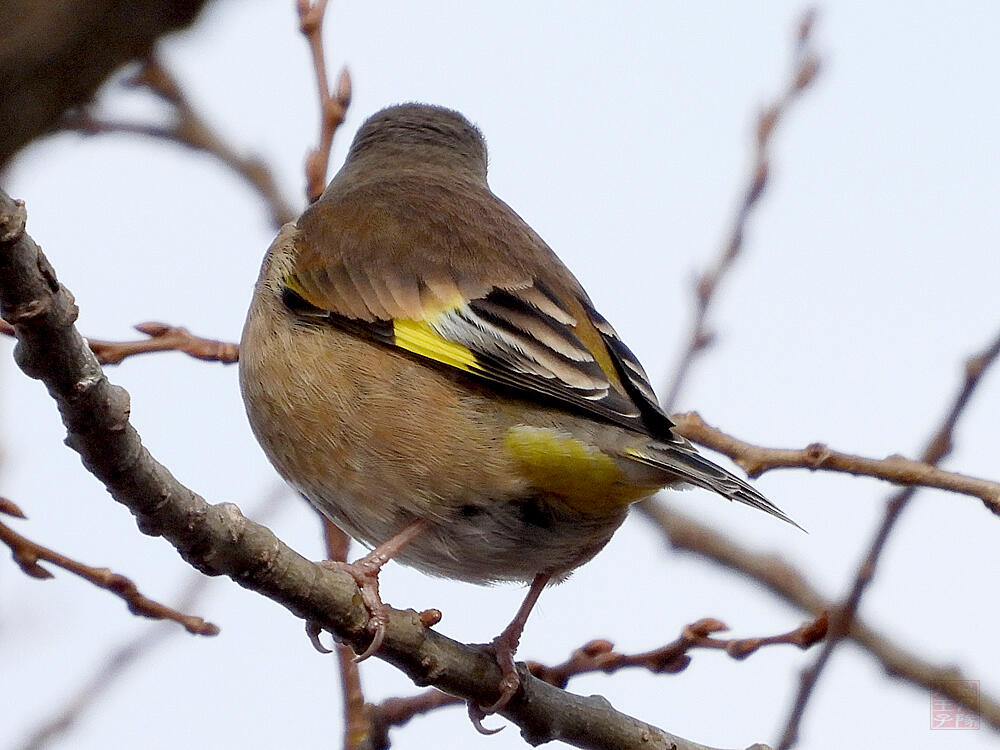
681	460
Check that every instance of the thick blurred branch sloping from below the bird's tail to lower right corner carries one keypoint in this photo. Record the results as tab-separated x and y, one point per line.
789	584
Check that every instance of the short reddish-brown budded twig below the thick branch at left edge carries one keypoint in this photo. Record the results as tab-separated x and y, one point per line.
27	554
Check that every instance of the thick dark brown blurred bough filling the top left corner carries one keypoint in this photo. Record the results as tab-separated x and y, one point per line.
56	55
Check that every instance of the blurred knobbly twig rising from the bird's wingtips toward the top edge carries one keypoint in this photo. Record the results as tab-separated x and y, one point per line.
806	66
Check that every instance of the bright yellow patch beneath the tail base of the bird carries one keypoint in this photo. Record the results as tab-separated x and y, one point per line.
580	474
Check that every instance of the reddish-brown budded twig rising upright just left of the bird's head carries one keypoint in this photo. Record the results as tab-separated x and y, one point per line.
333	108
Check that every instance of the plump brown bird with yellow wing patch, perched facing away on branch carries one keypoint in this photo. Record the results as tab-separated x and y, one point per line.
421	366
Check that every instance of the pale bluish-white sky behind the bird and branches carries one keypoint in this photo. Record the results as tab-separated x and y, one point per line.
622	133
